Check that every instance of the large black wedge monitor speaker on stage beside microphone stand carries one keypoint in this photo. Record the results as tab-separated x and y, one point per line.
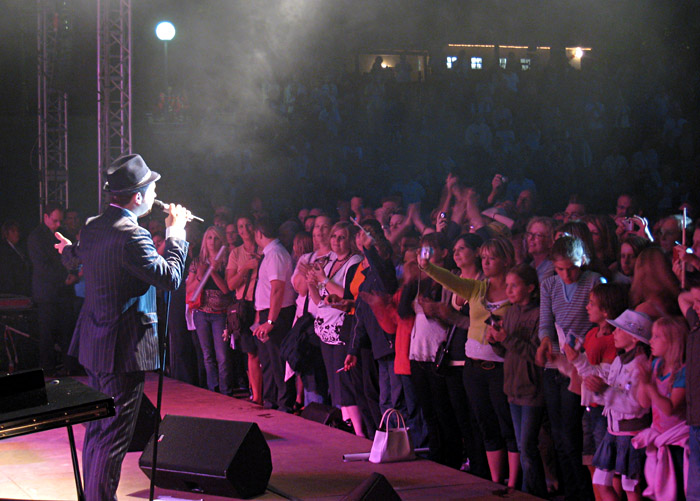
210	456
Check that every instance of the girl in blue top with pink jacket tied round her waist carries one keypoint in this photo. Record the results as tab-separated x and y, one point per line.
663	387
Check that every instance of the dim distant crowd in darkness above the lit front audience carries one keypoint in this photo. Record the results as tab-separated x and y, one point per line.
620	124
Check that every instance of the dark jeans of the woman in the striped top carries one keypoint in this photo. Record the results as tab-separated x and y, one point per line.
565	414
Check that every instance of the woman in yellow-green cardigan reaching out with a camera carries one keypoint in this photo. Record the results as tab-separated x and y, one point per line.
483	370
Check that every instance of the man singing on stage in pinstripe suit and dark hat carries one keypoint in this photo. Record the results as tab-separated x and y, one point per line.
115	337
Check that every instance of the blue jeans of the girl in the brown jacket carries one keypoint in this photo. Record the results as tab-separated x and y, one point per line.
526	422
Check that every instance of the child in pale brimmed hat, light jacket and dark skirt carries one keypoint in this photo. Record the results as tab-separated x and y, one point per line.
616	461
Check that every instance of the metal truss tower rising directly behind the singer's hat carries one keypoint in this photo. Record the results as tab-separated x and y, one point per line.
113	83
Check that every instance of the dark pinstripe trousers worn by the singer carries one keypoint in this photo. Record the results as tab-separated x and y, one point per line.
107	440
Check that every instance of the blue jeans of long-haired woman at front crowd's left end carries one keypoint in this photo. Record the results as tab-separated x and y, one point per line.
215	351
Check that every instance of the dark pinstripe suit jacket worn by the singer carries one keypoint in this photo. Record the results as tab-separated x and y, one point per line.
117	330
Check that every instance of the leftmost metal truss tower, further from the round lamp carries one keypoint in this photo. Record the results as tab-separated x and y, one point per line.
53	50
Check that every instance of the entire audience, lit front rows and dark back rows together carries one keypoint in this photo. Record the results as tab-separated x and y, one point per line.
547	353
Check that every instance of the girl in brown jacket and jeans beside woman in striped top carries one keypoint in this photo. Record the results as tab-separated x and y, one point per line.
517	341
